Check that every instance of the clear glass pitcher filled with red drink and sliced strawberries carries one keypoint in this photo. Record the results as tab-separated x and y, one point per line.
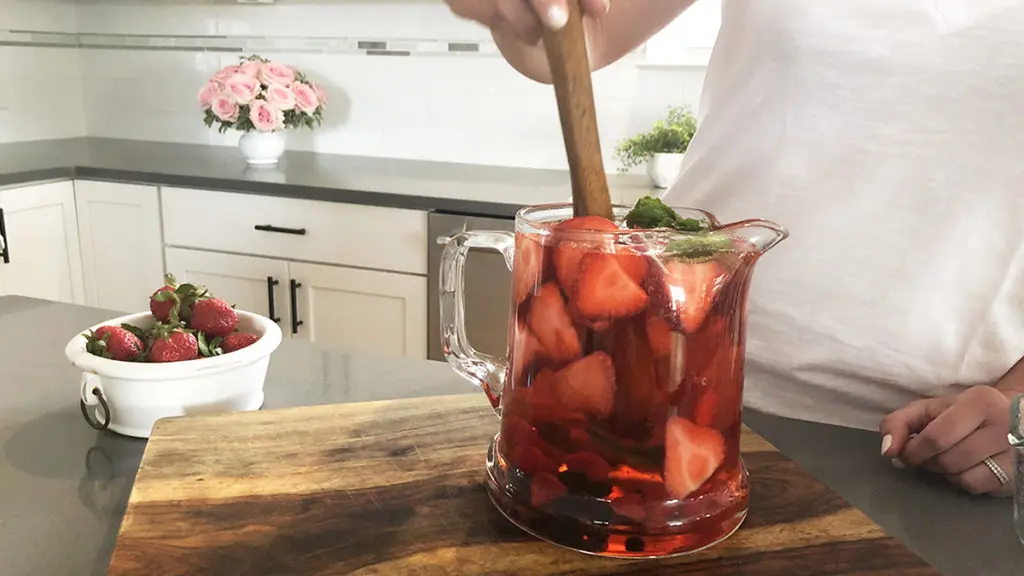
621	395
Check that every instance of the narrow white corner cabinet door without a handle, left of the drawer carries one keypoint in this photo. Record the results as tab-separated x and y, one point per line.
122	244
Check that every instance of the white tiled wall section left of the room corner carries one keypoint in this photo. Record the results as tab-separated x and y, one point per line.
40	87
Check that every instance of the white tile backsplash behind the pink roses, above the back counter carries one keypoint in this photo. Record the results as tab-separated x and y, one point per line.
462	108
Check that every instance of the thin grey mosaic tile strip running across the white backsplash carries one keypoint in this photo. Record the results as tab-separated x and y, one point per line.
248	45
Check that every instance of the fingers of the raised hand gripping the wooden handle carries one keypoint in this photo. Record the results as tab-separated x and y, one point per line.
523	19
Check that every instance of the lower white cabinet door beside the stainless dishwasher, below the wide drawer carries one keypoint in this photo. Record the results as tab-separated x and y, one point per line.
361	310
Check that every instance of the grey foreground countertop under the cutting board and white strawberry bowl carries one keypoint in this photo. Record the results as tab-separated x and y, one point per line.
66	486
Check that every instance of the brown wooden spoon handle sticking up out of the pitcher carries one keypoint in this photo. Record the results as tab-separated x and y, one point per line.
571	71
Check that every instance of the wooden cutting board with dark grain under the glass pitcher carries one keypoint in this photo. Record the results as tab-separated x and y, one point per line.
399	488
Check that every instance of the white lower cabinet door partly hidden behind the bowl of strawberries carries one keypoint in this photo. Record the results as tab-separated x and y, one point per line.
253	284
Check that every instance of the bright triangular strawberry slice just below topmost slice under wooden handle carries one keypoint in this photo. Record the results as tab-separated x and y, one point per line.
605	291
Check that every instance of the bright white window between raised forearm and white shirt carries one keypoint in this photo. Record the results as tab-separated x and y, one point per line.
689	40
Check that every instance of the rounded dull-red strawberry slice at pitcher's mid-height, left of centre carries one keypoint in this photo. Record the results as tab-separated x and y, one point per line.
588	386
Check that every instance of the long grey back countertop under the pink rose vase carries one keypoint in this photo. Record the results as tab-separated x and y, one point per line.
468	189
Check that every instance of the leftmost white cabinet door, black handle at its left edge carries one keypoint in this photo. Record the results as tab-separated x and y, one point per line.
42	242
